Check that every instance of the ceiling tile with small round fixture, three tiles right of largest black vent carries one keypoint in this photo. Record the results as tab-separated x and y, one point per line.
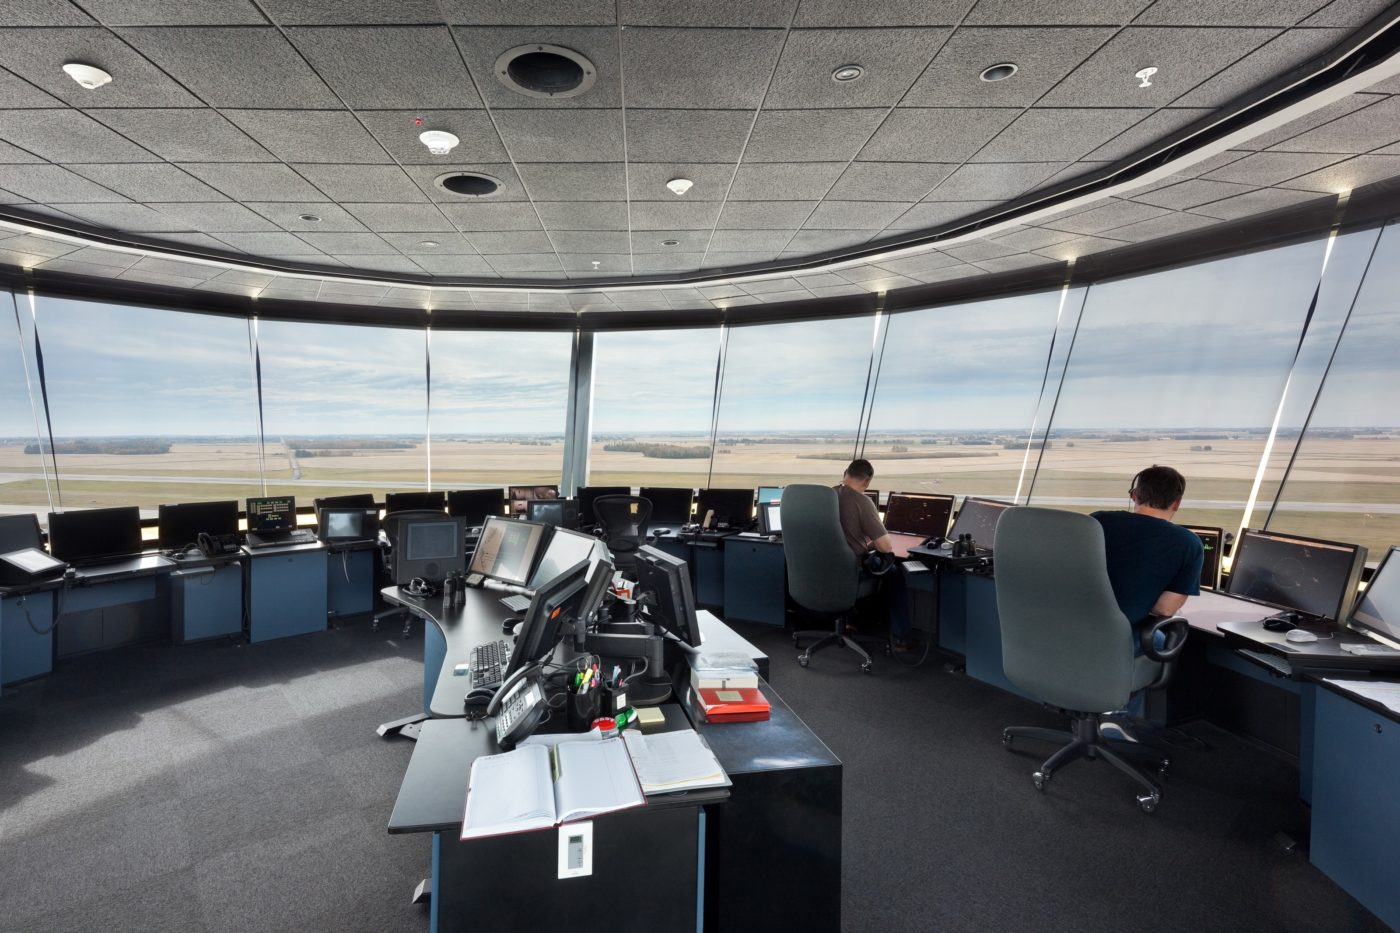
1042	58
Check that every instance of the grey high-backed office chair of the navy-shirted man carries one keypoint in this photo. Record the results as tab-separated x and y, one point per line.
1066	644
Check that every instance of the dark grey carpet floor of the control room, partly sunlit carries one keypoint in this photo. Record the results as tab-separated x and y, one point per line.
219	788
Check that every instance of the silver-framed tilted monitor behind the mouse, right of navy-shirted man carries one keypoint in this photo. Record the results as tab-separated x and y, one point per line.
1291	572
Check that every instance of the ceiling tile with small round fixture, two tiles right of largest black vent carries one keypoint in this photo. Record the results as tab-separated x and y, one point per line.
892	60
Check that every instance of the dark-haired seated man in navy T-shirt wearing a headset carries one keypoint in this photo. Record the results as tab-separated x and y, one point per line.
1154	565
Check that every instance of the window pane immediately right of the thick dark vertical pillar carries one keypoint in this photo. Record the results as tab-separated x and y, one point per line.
653	406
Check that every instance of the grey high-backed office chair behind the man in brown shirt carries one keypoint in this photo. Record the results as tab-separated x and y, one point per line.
822	574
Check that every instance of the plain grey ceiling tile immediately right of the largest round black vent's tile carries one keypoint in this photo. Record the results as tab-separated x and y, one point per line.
726	69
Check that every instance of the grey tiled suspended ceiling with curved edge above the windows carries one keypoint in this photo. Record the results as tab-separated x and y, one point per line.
227	121
